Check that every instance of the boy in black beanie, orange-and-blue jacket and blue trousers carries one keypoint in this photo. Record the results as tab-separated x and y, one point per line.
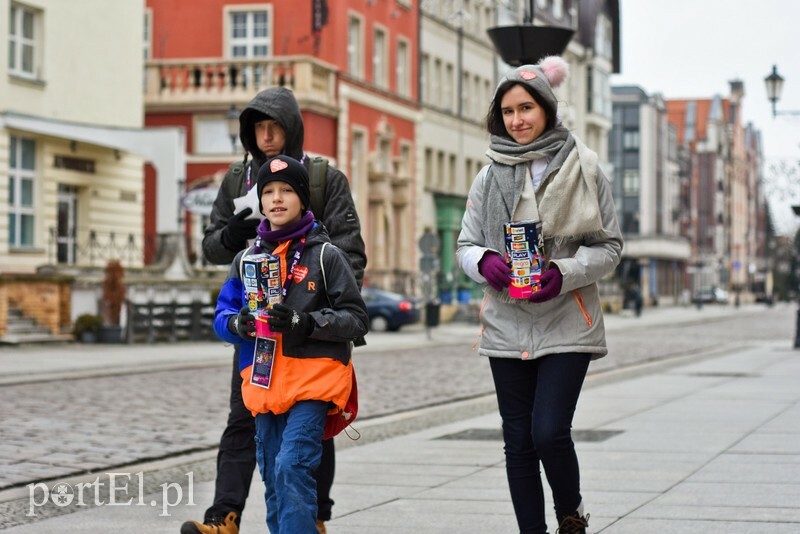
305	366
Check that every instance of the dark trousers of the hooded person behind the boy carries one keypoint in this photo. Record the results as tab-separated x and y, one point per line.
236	459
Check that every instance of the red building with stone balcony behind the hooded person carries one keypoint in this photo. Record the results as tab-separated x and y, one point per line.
352	66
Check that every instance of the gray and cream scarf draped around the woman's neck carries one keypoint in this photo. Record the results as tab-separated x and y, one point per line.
567	197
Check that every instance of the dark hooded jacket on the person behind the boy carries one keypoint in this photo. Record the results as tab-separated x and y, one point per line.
340	218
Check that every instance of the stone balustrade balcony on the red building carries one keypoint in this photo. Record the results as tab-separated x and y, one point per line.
174	84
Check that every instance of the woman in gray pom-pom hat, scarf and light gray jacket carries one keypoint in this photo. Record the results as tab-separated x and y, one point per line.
539	348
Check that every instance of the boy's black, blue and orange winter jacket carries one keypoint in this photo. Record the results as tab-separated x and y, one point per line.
316	367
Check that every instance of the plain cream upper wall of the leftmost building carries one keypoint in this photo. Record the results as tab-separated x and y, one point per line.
91	63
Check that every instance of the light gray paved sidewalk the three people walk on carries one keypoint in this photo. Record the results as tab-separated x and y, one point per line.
703	444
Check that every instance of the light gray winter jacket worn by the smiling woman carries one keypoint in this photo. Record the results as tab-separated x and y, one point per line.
571	322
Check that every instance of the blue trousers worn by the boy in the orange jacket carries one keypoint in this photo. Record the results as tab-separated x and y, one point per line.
288	450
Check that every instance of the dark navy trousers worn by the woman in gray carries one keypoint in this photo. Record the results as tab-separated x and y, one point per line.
537	400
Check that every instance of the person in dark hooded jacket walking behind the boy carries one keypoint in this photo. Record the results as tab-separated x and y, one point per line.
270	124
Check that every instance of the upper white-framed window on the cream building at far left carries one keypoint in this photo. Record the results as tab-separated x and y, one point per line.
23	48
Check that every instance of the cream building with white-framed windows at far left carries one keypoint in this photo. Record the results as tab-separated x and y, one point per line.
72	147
